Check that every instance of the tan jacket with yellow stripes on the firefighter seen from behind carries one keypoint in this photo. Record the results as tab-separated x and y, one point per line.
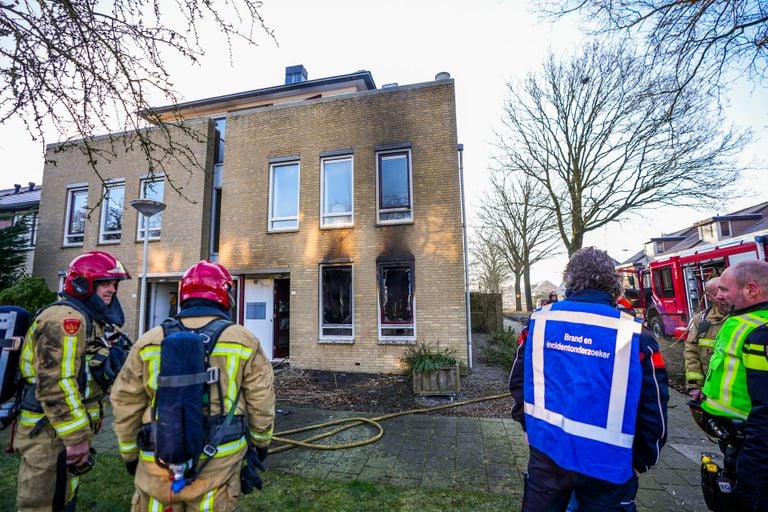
244	370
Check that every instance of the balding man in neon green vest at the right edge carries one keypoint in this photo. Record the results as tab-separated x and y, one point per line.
736	387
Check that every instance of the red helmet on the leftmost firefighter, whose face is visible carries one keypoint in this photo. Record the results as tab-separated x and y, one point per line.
89	268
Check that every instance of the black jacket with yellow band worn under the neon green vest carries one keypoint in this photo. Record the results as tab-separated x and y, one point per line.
752	463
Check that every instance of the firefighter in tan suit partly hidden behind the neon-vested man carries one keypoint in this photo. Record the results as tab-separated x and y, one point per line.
700	342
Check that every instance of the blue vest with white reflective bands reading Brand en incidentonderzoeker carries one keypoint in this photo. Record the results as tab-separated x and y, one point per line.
582	387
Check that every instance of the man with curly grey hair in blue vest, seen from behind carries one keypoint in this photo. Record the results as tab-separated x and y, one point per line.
590	390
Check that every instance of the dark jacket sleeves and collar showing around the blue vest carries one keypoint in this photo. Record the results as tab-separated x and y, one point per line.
651	431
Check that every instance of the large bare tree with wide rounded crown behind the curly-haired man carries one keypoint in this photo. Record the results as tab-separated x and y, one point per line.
598	134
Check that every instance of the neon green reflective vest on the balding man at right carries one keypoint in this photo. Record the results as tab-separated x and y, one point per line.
726	384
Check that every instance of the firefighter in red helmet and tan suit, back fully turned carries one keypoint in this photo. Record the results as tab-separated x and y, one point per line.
243	390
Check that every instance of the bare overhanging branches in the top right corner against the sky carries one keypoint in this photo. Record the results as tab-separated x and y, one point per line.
700	41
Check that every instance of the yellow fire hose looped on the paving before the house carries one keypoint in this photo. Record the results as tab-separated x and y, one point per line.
356	422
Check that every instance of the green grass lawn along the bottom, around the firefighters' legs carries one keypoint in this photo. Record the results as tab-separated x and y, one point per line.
109	488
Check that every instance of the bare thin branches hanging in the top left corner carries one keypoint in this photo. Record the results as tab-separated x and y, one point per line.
90	67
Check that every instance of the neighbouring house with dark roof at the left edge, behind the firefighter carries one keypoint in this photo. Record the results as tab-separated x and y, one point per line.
21	204
